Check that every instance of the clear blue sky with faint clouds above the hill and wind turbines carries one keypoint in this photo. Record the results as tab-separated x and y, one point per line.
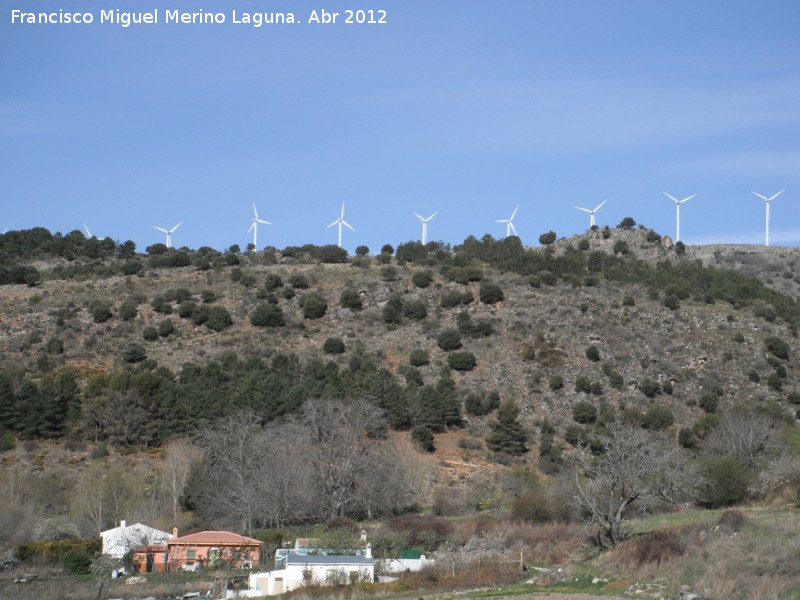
465	107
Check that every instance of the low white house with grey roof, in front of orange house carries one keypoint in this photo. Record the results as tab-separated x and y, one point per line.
304	570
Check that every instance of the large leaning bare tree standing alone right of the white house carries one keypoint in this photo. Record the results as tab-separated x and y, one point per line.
636	465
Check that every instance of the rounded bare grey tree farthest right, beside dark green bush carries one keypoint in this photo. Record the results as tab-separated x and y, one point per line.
747	436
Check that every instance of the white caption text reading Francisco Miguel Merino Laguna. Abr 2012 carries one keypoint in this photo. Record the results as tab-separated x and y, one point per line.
197	17
